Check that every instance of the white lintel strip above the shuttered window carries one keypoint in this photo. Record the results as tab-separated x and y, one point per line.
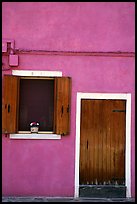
37	73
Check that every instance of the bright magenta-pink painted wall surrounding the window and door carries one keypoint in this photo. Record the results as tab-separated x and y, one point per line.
46	167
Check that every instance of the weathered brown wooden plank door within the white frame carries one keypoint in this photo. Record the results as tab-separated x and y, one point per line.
102	141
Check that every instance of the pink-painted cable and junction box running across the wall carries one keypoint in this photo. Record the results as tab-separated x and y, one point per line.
13	53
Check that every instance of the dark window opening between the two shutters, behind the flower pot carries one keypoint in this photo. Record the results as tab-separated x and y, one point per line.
36	104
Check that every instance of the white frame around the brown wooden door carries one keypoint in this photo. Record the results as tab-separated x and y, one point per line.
98	96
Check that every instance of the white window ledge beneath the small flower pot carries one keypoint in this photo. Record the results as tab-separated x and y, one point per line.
35	136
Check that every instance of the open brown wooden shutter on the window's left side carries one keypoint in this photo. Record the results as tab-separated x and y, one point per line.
10	104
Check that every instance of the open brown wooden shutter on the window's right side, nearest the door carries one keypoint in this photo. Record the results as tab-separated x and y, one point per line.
62	105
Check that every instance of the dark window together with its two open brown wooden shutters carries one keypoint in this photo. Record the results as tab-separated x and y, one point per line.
28	99
